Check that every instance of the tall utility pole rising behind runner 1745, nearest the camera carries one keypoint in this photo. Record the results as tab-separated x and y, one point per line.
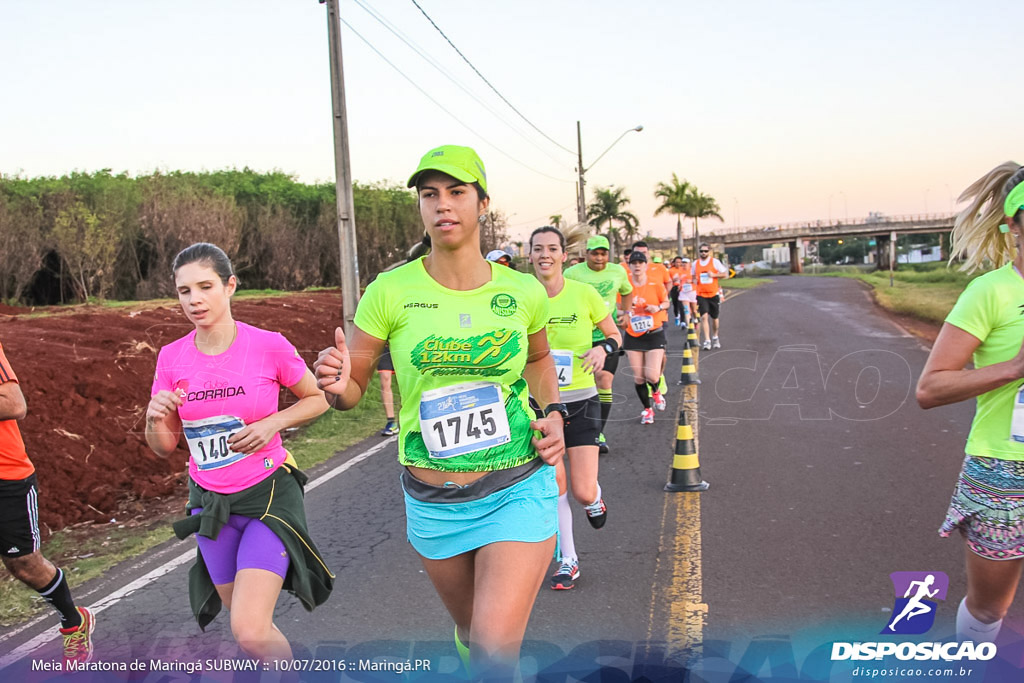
350	265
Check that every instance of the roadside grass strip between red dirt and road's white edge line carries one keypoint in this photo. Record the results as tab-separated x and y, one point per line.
89	552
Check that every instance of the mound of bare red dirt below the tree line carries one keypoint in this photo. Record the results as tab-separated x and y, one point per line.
87	376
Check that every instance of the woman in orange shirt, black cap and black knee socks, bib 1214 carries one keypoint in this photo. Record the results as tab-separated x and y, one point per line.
646	343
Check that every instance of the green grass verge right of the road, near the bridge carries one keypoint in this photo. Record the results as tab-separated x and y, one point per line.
927	292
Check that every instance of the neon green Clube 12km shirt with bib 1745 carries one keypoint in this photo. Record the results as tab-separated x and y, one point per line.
459	358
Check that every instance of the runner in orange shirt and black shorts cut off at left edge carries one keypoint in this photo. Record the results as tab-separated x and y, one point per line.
20	540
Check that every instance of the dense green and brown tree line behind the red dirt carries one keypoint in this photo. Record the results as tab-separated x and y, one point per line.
103	236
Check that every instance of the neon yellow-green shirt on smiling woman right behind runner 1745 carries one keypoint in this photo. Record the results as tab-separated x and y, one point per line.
572	316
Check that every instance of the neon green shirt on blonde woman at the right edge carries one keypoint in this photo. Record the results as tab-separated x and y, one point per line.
992	309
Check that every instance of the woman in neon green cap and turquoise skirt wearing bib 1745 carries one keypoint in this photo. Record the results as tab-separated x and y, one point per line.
470	346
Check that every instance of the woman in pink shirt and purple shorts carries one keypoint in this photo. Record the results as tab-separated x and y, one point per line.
219	387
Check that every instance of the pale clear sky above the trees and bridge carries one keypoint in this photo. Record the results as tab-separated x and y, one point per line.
784	111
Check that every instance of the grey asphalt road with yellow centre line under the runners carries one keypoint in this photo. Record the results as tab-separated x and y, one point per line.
825	476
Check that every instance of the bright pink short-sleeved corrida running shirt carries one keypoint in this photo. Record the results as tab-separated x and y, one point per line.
244	382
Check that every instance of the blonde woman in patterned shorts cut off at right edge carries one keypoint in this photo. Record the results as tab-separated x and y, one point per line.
986	328
